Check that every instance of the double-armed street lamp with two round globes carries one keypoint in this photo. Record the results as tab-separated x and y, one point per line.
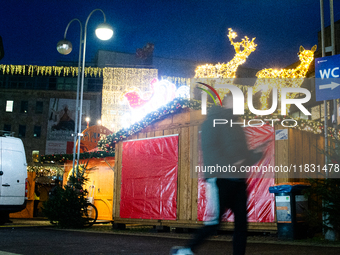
104	32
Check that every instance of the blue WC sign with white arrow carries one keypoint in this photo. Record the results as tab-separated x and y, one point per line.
327	78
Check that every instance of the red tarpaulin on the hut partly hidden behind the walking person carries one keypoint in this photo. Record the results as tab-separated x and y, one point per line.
260	202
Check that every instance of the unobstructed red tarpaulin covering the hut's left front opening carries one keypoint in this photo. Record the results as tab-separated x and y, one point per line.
149	178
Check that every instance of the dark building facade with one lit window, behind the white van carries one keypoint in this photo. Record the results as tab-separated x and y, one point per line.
32	105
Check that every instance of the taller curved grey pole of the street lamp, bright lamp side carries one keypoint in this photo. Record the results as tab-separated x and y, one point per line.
82	85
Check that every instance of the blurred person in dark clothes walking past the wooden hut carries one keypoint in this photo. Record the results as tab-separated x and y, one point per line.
224	145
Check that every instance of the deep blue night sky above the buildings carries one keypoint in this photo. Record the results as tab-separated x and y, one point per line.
180	29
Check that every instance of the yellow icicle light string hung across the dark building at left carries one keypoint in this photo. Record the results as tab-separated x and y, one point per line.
32	70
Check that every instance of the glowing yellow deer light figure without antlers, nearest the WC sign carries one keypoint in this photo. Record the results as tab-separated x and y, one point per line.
284	78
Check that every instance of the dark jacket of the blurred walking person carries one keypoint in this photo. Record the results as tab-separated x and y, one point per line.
224	145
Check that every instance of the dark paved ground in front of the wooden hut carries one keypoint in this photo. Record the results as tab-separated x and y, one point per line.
38	237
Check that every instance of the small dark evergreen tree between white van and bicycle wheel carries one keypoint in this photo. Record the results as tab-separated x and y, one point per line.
65	206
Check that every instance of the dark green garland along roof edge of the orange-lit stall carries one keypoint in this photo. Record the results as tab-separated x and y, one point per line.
61	158
